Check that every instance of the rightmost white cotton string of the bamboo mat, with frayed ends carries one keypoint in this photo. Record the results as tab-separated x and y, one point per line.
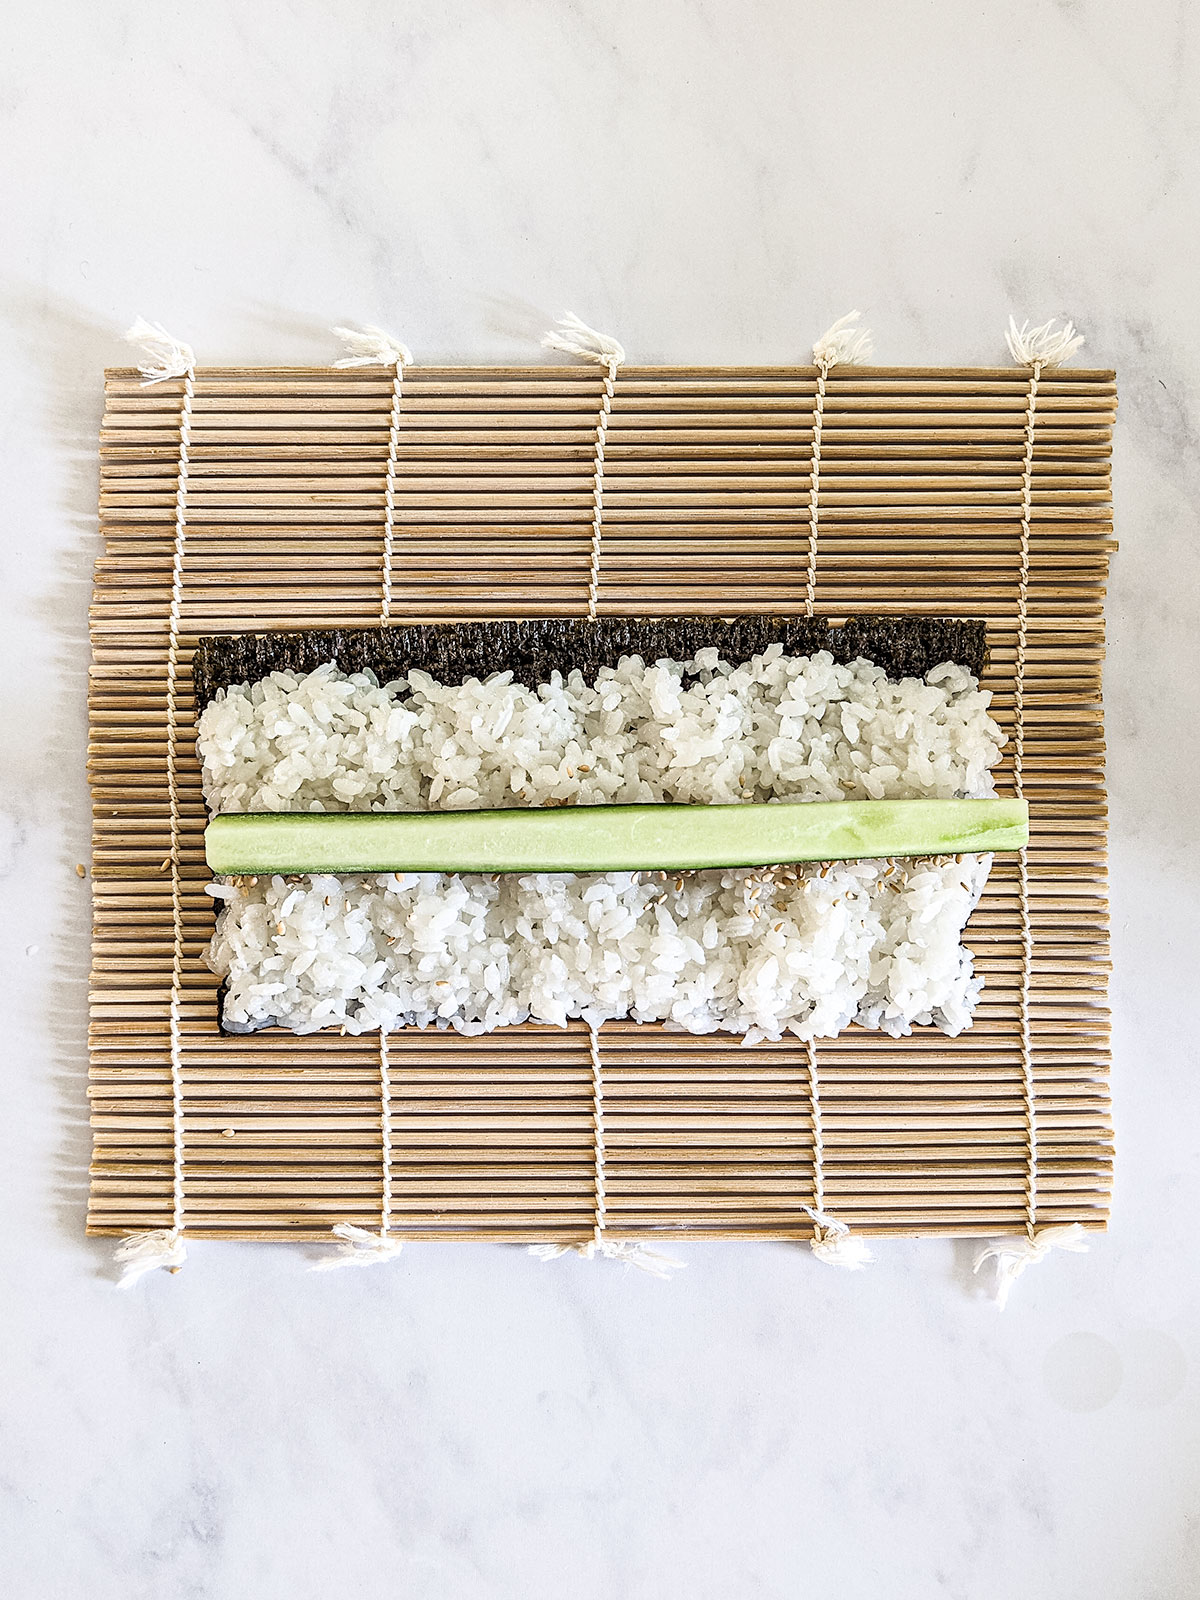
1038	350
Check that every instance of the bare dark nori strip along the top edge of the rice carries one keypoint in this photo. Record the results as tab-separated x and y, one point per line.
532	650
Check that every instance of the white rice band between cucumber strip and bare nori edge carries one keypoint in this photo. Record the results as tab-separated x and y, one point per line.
775	729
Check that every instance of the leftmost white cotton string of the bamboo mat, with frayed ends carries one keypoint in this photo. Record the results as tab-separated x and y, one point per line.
164	1247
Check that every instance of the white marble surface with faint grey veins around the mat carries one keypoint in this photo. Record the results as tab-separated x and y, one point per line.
713	182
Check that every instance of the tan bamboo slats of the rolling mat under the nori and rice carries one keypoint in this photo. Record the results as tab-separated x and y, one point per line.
706	510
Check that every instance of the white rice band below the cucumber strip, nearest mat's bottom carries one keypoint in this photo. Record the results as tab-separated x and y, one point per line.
759	953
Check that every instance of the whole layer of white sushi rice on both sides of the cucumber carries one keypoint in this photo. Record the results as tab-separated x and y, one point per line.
759	953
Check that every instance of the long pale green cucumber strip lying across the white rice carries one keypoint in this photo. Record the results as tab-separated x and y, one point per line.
609	839
